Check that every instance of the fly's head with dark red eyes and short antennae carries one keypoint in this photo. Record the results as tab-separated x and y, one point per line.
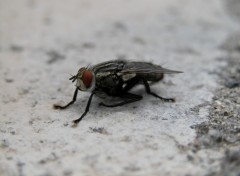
85	79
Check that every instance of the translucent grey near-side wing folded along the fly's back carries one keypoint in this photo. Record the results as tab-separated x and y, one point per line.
145	68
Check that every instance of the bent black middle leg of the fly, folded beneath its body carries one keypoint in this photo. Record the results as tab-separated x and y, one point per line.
130	98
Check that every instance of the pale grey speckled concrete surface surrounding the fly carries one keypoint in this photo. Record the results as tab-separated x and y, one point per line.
43	42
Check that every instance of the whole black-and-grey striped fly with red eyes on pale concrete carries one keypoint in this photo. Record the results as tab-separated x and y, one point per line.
115	79
